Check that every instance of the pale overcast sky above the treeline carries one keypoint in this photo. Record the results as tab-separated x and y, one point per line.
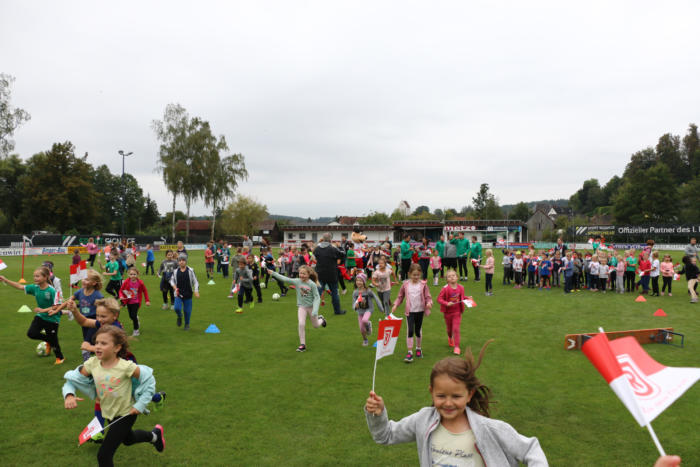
343	108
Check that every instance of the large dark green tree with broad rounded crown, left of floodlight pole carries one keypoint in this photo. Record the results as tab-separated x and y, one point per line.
57	191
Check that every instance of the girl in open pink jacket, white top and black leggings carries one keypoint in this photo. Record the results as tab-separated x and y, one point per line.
418	304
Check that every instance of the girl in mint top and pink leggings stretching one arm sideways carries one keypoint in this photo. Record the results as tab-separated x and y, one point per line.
308	300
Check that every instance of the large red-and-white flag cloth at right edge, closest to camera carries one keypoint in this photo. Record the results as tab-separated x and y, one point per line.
645	386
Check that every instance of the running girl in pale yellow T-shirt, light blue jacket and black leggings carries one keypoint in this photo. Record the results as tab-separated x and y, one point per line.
124	390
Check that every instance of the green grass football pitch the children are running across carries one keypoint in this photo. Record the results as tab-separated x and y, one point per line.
245	397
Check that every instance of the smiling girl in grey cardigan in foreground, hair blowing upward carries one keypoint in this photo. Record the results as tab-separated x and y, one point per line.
456	429
